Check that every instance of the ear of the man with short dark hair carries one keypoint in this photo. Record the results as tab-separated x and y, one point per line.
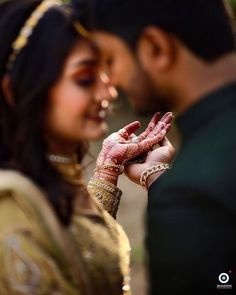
156	49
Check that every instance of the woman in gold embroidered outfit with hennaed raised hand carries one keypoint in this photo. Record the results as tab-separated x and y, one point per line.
57	235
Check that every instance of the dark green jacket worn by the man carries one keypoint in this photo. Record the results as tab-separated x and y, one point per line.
191	236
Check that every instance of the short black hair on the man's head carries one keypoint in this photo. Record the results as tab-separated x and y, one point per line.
204	26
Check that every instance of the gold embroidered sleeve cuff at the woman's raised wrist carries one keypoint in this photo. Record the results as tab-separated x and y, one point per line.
107	194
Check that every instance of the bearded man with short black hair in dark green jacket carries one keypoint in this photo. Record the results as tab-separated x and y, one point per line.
180	55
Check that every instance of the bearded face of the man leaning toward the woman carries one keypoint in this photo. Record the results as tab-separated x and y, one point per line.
125	73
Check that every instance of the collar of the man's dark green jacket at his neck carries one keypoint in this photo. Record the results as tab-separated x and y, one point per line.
206	109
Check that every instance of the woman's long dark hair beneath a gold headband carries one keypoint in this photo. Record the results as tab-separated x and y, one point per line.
37	67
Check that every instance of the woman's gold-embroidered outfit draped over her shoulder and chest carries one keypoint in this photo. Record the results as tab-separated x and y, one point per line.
40	256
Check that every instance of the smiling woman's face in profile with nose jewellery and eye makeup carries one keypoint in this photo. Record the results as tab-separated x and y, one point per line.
77	101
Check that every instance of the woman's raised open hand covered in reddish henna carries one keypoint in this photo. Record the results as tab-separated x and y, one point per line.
124	145
